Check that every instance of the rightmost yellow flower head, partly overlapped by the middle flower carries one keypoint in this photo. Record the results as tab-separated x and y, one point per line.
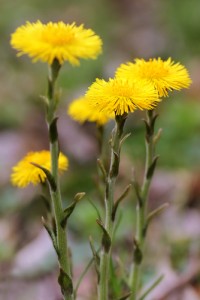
165	75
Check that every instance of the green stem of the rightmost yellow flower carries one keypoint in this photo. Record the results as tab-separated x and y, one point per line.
141	209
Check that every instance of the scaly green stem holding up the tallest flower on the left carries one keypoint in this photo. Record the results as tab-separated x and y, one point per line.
61	236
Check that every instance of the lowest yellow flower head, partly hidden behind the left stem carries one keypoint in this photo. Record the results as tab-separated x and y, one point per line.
25	172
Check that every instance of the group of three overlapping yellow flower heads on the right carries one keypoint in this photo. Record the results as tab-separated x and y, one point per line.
136	85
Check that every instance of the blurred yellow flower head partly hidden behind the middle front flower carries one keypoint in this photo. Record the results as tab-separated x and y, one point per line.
81	110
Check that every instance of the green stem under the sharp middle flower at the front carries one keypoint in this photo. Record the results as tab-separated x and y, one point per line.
105	257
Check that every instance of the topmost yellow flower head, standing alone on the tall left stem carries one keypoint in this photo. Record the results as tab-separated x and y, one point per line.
64	42
